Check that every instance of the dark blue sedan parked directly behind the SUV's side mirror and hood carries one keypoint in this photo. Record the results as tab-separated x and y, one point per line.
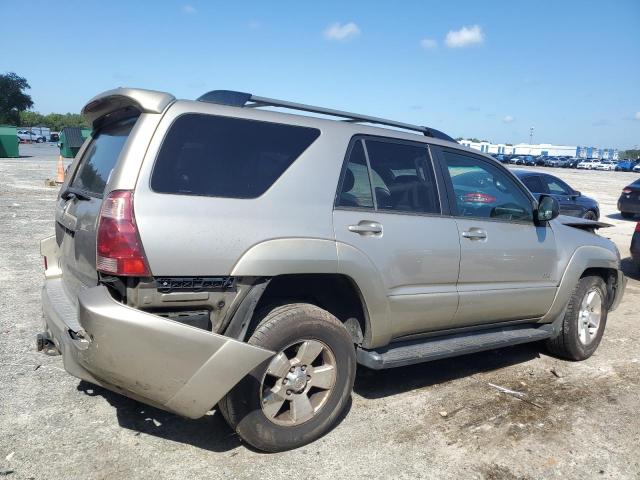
571	201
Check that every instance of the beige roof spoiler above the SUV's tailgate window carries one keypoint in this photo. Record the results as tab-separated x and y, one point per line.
145	101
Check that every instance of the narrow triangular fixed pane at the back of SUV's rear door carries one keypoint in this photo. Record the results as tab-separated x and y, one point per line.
356	187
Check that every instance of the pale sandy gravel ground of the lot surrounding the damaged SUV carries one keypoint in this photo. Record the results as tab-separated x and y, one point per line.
580	422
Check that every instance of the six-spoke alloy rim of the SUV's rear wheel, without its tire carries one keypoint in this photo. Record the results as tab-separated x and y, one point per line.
298	382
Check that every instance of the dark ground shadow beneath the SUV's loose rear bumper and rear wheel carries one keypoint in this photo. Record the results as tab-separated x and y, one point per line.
210	432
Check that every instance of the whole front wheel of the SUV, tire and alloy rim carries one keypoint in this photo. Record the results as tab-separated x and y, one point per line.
584	321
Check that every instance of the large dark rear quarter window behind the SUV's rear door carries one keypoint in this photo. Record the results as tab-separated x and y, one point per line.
226	157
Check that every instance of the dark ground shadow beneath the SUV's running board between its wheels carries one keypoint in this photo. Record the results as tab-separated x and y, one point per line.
374	384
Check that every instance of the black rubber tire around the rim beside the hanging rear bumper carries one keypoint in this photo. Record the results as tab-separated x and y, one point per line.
283	326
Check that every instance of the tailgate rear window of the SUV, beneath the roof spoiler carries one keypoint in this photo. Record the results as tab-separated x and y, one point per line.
101	156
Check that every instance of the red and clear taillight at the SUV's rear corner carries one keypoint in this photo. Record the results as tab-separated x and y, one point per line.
118	246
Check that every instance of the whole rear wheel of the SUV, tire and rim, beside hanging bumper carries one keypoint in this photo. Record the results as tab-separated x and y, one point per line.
295	397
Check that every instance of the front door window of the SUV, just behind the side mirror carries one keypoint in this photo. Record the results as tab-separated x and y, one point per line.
486	191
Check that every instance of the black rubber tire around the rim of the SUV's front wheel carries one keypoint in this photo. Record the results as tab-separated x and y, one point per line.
567	344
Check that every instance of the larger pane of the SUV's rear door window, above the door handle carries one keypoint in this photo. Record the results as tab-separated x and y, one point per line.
403	178
